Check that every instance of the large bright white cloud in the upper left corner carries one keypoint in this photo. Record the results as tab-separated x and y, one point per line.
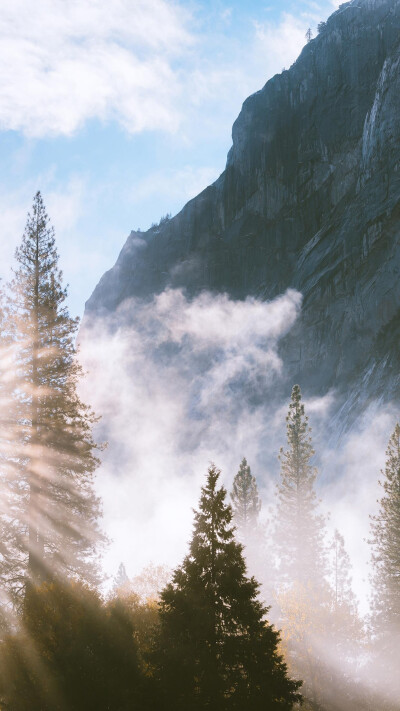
67	62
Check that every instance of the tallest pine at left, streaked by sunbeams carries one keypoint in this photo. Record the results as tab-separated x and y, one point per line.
55	510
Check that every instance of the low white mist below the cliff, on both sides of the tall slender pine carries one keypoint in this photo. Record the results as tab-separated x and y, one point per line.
179	383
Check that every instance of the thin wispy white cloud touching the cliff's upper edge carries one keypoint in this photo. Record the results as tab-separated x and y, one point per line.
219	83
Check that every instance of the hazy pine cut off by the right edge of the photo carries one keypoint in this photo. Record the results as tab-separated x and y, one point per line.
385	541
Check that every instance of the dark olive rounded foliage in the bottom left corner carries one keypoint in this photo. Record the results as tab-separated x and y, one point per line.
72	652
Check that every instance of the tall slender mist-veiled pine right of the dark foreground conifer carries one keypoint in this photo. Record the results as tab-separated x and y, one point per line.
303	597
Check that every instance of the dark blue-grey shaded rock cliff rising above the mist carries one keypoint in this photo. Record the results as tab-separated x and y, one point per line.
309	199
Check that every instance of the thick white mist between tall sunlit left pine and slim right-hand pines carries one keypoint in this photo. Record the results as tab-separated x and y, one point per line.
174	389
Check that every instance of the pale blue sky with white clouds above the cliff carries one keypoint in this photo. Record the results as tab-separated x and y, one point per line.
120	111
